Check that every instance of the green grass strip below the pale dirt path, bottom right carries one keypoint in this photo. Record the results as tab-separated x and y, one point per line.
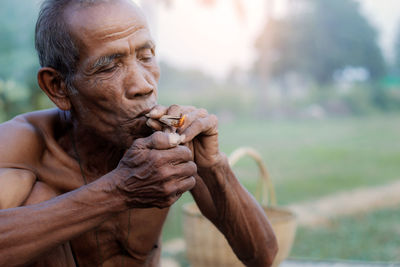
366	237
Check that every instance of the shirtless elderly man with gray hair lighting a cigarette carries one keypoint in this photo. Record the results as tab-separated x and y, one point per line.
90	182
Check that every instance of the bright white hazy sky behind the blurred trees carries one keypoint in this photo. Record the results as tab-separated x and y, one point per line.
218	39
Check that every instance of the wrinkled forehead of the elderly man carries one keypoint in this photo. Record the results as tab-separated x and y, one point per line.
104	22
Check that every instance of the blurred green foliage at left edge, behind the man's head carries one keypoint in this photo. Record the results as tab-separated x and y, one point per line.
19	91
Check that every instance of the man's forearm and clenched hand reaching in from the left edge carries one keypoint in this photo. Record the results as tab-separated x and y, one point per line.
148	175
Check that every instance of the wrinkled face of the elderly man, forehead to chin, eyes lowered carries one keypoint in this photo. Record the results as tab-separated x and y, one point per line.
117	74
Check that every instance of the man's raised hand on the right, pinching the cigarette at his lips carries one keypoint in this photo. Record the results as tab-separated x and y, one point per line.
200	131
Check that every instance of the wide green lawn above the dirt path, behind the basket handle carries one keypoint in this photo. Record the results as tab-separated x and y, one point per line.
309	159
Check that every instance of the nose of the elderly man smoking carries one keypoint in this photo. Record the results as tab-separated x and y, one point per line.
138	82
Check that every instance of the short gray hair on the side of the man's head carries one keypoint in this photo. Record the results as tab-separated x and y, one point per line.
53	41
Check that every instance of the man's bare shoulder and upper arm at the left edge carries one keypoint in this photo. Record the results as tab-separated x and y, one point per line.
21	147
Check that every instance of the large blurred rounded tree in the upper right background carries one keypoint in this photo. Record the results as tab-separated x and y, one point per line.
318	39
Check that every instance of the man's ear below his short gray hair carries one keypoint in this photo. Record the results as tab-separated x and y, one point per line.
55	88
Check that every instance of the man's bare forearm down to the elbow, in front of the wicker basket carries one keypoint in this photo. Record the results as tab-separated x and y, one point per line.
236	214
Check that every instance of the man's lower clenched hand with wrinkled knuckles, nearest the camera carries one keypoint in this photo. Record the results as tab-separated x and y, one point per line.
155	171
